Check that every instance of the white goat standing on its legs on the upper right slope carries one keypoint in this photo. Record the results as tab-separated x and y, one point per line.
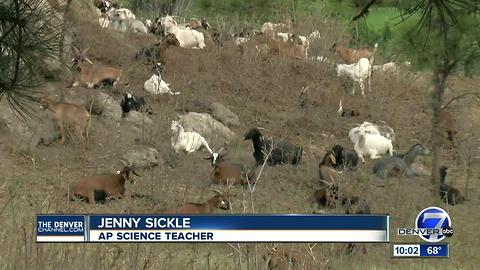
359	72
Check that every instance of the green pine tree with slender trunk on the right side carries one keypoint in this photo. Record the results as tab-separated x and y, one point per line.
442	35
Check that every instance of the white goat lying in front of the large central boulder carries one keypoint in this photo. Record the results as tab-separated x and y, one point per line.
187	141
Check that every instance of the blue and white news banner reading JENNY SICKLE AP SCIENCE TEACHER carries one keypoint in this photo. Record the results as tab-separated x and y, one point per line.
213	228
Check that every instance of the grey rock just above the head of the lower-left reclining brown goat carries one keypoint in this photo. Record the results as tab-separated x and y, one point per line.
142	157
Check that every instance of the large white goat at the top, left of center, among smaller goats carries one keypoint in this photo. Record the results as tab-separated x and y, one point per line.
188	38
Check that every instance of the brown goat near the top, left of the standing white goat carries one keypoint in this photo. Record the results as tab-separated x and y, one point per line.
292	48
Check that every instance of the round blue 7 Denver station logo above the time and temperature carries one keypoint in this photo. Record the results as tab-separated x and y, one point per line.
432	224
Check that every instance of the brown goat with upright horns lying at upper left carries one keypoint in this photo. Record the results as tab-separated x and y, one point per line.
90	76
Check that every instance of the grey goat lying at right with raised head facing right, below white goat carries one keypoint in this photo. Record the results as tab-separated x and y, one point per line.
397	165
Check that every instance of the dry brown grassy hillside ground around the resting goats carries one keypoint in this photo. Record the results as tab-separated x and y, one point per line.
263	90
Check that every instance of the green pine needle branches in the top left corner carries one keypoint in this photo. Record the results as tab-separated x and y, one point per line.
30	36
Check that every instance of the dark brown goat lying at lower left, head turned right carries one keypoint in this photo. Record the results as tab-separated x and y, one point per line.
110	185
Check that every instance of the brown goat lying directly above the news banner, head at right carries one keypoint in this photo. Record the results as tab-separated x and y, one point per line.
219	201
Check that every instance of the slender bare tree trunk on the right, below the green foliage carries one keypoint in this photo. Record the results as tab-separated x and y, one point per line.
439	83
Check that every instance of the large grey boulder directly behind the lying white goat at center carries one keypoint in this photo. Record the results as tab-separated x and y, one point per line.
213	131
